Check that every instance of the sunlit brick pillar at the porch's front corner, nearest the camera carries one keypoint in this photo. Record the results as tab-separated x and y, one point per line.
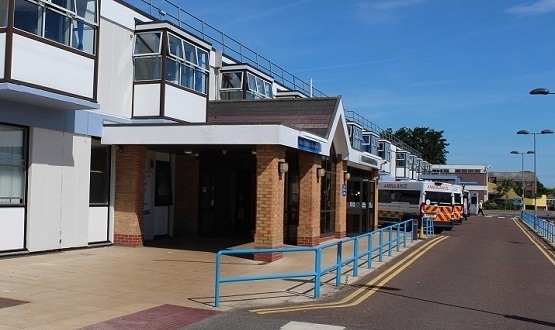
270	187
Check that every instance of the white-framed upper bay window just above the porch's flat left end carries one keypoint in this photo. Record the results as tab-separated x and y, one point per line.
186	64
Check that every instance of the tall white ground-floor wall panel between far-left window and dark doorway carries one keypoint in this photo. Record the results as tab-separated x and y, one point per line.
58	190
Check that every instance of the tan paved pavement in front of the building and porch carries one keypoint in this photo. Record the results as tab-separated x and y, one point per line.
166	286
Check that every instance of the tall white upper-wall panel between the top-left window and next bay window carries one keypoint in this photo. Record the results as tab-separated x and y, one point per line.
115	69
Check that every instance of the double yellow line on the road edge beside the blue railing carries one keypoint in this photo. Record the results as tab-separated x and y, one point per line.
366	290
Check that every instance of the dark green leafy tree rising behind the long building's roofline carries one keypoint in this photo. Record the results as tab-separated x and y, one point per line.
428	142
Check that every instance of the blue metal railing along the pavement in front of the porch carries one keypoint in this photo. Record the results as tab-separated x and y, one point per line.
397	236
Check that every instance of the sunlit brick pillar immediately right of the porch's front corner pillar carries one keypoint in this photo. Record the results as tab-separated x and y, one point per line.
308	232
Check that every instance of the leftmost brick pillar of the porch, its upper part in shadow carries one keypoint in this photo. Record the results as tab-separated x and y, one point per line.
129	196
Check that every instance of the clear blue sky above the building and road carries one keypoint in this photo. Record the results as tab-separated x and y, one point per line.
464	67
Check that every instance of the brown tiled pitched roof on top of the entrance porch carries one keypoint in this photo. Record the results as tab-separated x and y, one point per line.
314	115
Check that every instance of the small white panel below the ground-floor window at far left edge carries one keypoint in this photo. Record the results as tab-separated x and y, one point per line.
12	222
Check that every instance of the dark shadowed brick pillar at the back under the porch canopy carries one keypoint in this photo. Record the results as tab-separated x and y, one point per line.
186	195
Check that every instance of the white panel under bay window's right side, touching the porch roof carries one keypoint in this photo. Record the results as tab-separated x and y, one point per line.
184	105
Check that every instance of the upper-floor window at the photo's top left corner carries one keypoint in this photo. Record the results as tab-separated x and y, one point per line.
73	23
